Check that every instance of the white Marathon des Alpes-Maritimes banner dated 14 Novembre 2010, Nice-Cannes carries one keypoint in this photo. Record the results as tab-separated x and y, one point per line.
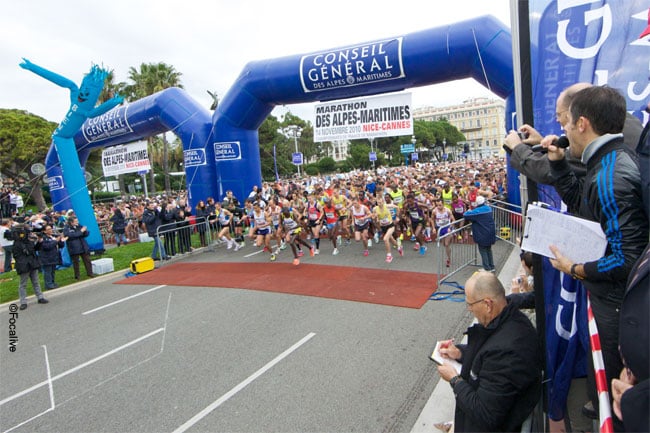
387	115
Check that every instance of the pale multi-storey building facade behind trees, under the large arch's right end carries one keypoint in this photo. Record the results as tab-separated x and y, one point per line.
480	120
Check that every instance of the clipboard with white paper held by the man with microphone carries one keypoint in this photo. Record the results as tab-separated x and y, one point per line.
578	239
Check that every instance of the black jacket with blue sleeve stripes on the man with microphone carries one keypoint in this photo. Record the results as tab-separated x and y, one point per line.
611	196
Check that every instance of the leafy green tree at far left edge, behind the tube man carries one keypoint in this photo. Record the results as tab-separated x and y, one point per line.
24	140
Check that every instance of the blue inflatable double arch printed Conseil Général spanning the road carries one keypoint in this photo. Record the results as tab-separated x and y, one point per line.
480	48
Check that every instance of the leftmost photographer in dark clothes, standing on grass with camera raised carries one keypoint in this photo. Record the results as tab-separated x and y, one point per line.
26	244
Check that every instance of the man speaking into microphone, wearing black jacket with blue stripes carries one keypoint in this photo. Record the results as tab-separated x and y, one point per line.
610	194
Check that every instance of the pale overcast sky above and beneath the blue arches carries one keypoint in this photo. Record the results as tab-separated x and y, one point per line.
208	41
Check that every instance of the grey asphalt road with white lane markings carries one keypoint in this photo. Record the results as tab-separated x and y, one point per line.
103	357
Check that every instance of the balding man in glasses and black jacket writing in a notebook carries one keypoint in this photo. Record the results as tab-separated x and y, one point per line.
500	380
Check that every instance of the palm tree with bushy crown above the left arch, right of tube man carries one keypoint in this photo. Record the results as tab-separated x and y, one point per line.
149	79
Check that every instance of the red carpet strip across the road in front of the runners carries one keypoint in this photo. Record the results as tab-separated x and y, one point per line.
377	286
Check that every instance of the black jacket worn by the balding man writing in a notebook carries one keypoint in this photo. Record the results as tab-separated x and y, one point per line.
501	375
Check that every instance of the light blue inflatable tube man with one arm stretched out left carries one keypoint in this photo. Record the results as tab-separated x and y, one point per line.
82	107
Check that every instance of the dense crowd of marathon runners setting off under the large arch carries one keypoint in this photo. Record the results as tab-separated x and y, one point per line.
389	206
